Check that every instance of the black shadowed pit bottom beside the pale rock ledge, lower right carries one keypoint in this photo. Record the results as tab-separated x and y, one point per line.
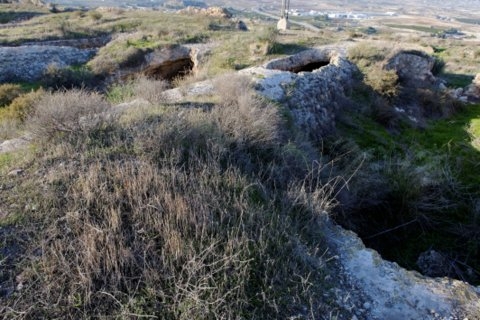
416	240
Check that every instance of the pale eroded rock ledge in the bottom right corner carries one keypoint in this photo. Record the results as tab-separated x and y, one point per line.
381	289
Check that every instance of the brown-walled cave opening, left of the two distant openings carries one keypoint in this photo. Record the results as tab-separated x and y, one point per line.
171	69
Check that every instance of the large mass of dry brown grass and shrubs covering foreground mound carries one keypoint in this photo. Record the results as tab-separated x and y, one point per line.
183	214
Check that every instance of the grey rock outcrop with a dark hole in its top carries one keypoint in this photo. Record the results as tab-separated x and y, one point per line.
312	84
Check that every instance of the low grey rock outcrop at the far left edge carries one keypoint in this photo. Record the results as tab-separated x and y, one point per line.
28	63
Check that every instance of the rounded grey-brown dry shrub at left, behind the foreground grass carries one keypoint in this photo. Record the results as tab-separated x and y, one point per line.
68	112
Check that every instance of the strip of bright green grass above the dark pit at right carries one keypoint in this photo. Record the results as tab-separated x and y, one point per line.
454	137
